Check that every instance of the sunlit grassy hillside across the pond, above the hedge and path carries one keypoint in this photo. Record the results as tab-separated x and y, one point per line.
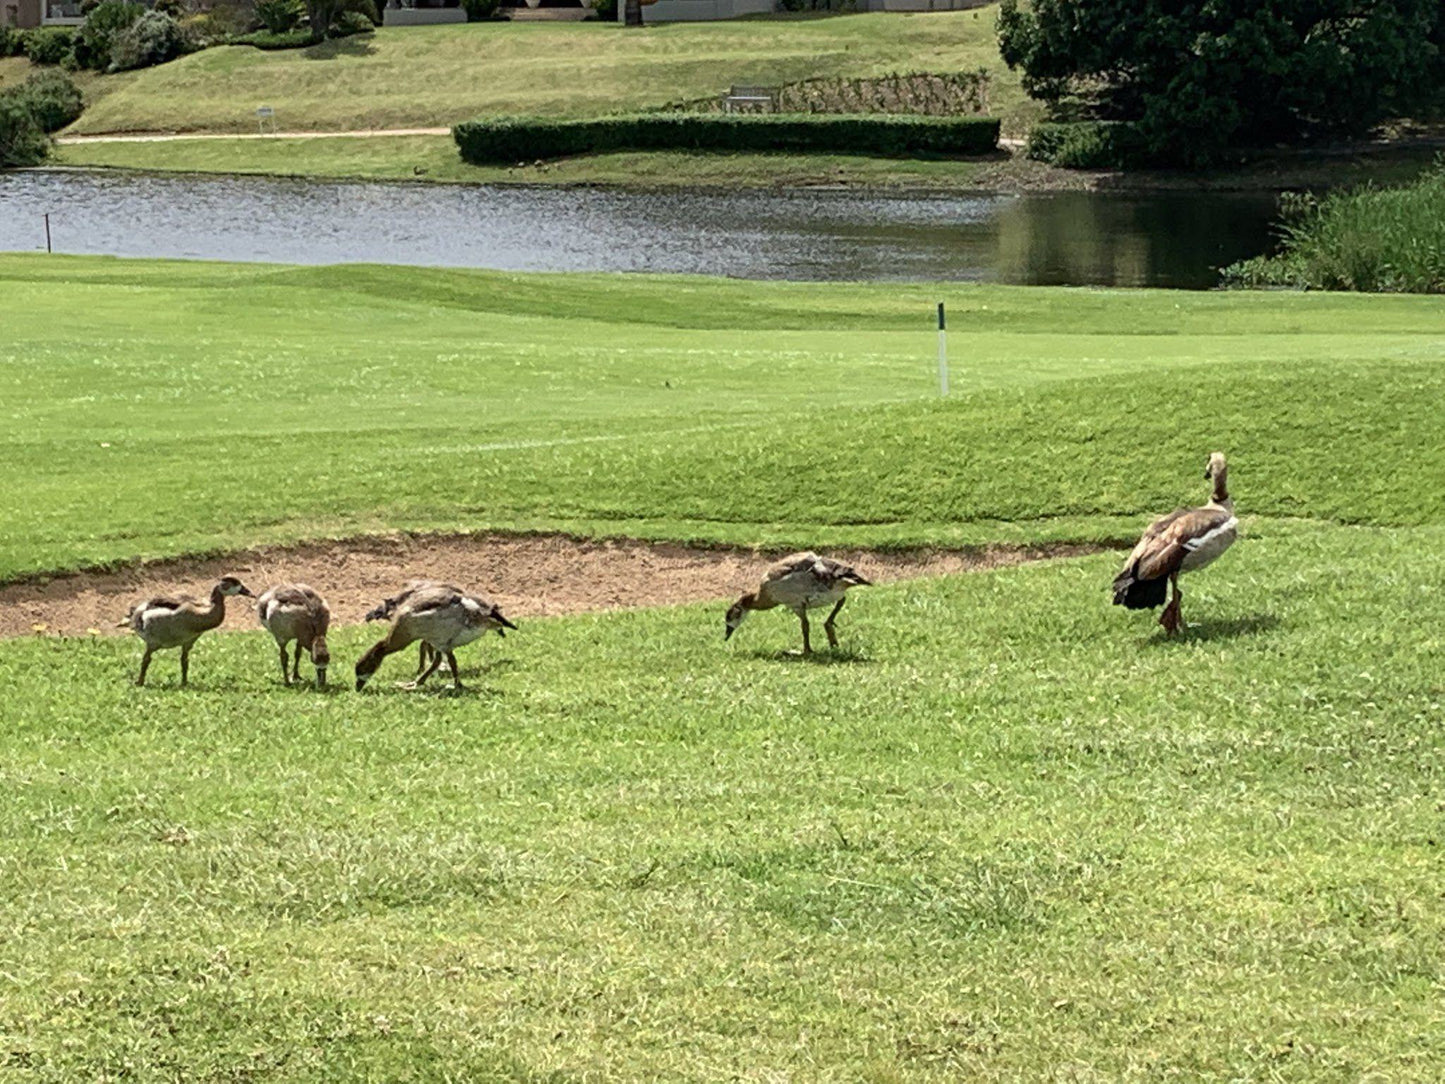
436	76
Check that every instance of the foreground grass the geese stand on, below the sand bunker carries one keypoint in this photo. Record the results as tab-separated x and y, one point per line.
1009	835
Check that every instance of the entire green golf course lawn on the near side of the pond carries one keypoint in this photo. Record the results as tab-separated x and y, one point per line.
1008	832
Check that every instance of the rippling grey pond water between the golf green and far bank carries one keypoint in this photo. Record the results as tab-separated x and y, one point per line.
1164	239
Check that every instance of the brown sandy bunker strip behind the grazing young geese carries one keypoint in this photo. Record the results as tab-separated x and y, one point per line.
527	575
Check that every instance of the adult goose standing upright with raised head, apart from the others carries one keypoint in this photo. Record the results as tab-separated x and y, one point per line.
1180	543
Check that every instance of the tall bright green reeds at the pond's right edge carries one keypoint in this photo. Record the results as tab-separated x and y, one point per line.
1381	241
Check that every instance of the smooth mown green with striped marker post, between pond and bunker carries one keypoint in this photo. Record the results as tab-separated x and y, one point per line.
687	408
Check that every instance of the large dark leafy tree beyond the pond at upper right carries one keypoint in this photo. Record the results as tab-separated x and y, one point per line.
1199	77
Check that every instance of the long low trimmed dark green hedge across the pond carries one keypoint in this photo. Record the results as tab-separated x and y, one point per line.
524	139
